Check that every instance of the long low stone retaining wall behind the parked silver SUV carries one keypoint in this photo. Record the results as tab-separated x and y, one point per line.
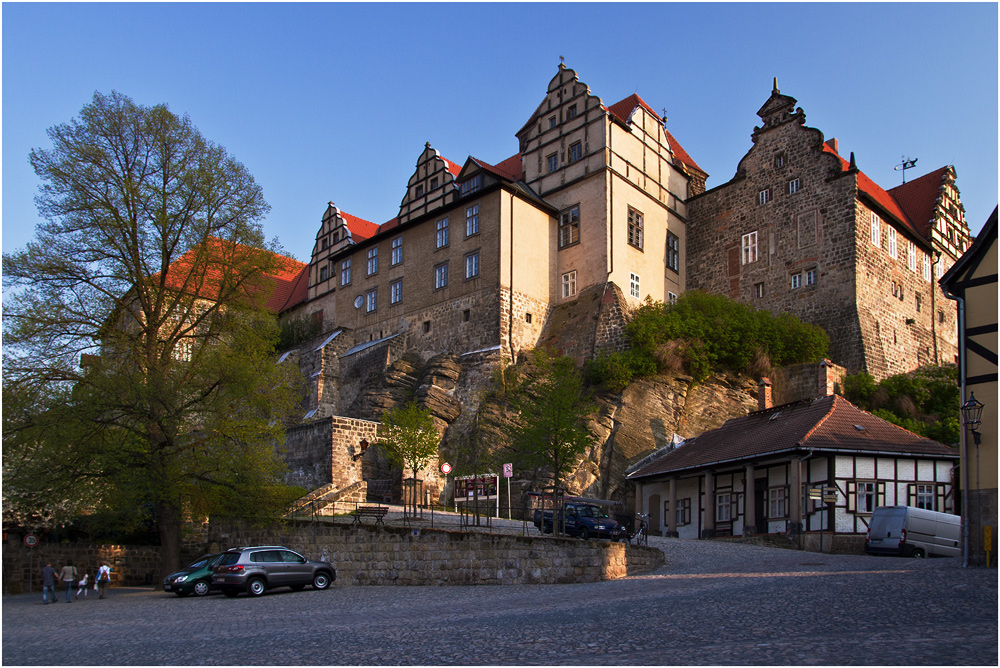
398	556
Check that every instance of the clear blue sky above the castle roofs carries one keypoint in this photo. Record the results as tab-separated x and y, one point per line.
335	101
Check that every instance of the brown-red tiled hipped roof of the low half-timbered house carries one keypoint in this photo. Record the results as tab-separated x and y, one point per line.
824	424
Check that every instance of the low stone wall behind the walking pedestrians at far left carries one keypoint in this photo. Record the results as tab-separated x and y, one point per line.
129	563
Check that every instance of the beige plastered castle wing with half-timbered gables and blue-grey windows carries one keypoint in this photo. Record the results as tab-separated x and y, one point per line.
480	254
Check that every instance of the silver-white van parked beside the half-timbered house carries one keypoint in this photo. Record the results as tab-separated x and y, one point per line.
906	531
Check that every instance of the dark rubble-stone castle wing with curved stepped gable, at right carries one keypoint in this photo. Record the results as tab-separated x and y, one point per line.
801	230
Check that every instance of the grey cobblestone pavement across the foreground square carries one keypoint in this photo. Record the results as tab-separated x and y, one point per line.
714	603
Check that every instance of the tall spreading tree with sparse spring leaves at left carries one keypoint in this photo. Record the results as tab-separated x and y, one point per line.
153	269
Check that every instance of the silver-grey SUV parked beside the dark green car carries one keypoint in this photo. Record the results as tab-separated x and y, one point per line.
262	567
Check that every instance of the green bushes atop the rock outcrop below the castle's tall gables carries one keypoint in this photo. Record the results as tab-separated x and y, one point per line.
702	334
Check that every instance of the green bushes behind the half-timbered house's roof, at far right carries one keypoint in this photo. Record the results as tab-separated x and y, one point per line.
925	401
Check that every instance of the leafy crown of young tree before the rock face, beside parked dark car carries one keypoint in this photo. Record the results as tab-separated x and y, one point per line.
551	403
